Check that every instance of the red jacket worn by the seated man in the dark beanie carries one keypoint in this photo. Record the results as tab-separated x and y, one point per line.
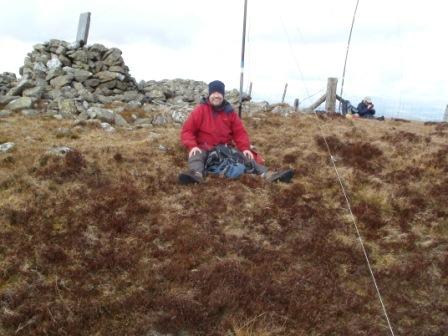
206	128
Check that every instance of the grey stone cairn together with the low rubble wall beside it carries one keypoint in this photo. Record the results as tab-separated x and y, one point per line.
92	82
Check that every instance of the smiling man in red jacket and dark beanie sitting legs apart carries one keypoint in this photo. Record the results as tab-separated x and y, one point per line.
212	123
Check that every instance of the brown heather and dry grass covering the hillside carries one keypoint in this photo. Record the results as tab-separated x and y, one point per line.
104	241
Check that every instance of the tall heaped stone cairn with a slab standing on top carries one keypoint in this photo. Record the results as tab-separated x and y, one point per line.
57	69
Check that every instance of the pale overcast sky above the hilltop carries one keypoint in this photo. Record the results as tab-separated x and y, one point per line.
398	51
